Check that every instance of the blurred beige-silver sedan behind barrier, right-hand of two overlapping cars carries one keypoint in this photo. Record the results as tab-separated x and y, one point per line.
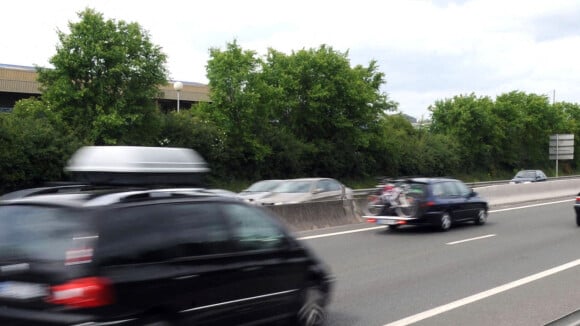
307	190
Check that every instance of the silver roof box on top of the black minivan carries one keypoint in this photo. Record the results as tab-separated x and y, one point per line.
136	165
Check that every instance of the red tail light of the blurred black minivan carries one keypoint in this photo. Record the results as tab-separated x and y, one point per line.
82	293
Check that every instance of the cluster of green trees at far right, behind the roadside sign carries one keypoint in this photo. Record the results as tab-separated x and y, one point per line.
507	134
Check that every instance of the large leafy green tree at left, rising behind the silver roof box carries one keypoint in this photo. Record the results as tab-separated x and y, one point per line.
106	75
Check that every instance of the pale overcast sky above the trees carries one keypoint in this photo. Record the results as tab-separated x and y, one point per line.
428	50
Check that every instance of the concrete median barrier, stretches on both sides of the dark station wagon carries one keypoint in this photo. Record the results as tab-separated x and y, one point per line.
318	215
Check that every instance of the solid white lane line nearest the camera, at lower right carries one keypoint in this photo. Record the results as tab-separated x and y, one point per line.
482	295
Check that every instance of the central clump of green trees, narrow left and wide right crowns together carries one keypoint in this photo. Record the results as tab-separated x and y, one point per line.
312	99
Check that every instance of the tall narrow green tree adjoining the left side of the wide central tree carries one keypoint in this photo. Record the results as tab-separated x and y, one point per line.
232	75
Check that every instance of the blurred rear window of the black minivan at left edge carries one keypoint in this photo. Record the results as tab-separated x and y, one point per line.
39	233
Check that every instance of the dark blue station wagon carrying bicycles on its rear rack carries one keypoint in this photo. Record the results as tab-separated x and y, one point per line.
439	202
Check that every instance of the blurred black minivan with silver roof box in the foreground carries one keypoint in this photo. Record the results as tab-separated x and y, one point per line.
122	250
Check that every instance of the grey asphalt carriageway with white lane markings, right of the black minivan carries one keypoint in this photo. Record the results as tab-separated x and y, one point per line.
521	268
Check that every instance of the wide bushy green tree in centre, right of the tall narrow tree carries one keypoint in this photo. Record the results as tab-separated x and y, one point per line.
320	99
